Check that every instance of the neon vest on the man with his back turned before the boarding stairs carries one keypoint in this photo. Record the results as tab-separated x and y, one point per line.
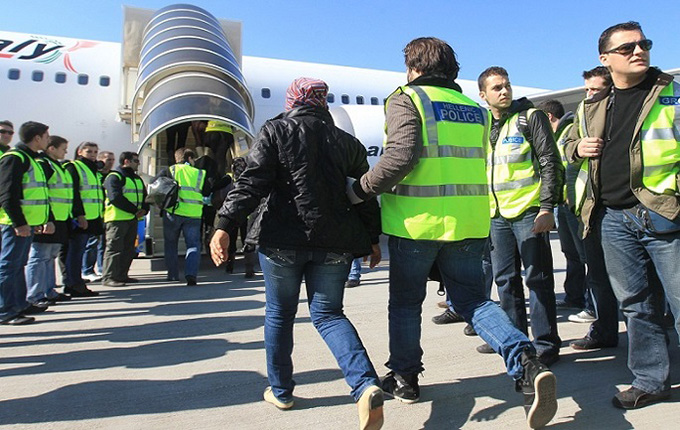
190	199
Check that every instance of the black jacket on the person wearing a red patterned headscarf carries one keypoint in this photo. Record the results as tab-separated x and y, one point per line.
301	161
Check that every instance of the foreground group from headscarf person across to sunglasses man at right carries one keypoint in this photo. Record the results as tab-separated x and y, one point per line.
460	184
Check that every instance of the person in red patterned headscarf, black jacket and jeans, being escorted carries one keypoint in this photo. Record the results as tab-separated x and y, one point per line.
309	229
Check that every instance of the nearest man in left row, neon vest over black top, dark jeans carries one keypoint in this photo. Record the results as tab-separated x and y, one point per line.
24	210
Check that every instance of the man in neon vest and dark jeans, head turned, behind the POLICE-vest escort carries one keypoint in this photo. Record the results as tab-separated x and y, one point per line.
526	177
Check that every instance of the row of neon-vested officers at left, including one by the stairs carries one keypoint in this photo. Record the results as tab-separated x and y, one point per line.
81	214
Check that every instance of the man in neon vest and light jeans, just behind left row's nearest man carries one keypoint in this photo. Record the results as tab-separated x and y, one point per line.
40	270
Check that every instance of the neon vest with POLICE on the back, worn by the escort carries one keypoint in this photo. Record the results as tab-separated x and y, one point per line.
445	196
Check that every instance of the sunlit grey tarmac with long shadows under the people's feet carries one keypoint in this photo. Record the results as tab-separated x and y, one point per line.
161	355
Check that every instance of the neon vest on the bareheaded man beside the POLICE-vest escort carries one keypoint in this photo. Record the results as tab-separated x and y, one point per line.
514	182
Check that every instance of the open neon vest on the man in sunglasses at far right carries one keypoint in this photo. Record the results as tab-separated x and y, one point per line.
660	136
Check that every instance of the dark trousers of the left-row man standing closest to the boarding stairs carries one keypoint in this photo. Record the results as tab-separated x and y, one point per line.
120	249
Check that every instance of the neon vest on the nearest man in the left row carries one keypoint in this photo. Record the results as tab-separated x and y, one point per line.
34	204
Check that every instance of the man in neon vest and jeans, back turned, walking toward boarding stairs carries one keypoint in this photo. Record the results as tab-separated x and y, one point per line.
186	216
